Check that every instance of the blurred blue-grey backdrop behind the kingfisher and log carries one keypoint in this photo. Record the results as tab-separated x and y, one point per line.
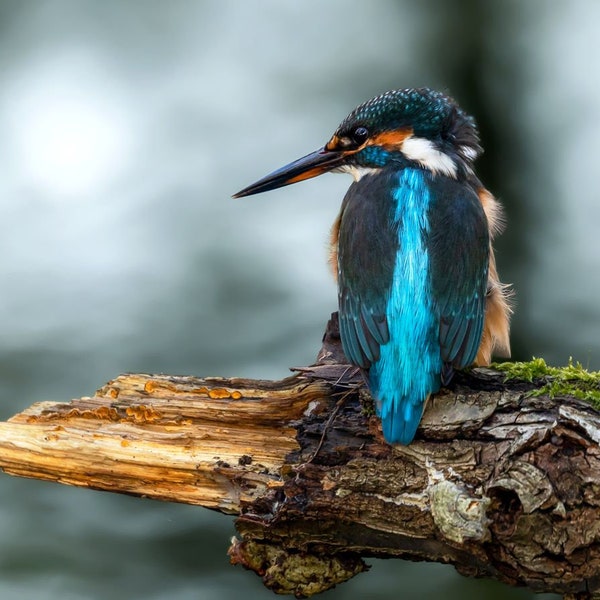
124	129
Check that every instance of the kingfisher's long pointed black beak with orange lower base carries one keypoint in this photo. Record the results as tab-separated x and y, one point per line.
311	165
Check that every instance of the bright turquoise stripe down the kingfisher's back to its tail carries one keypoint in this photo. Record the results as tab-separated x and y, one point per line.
409	366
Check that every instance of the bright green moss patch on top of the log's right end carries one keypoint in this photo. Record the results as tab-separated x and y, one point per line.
571	380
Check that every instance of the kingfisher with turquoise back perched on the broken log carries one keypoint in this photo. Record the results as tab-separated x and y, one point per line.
418	289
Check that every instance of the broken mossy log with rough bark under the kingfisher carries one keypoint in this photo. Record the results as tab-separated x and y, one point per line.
499	483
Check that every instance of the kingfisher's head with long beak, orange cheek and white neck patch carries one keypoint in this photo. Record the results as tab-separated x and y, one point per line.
418	127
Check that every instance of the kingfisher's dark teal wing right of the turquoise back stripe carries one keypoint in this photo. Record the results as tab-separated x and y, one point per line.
458	248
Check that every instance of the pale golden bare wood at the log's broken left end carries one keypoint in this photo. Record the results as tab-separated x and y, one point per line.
212	442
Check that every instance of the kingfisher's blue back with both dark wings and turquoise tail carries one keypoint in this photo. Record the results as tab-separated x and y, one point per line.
431	319
